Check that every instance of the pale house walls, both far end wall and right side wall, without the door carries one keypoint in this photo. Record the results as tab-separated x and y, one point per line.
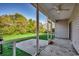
61	29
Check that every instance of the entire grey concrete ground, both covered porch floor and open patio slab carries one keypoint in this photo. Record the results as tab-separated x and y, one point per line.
59	48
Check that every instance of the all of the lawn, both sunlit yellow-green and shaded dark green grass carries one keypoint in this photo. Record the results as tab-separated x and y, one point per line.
7	50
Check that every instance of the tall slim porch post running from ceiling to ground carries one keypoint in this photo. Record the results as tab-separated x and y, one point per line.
37	29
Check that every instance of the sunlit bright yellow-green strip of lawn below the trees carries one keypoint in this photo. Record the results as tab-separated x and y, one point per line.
19	36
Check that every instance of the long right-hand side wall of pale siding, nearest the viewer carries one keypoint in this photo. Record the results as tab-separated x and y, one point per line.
75	27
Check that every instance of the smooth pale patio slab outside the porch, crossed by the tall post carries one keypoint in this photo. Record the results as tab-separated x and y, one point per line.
29	46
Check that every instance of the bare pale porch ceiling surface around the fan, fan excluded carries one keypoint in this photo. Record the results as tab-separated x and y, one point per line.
53	13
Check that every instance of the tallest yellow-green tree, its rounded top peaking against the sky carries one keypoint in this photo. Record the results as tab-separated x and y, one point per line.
21	23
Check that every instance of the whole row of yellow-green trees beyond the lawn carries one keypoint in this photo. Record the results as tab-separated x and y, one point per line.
18	24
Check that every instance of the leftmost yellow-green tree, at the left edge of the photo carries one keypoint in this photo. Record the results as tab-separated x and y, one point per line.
6	24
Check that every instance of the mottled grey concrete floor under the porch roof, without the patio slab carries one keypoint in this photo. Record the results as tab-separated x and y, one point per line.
62	47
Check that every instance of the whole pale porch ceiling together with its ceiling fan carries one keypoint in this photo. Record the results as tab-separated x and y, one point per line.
54	12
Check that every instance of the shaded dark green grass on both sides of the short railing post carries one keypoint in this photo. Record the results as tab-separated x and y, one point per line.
7	51
